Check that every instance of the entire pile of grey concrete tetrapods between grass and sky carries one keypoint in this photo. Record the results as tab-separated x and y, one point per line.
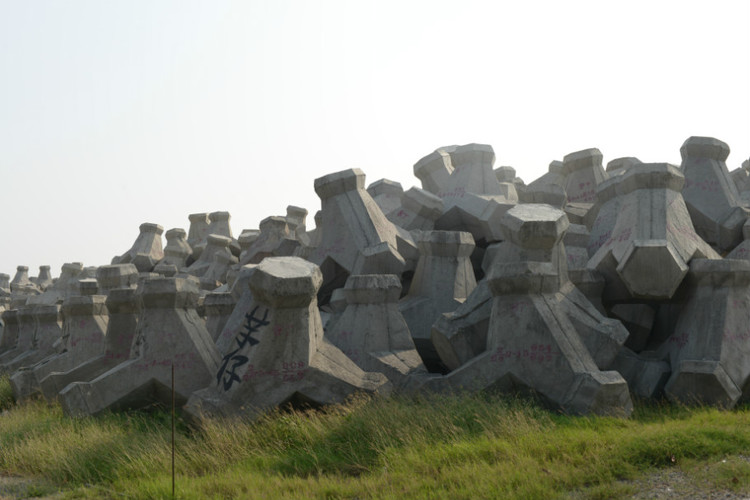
586	287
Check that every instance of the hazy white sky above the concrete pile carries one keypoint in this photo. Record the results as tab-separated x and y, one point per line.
118	113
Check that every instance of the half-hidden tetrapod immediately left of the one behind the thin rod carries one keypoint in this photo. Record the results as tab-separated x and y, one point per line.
123	305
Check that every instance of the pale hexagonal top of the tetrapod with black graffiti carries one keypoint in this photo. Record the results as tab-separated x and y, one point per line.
285	282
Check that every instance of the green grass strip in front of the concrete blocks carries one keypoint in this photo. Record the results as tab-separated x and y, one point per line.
469	446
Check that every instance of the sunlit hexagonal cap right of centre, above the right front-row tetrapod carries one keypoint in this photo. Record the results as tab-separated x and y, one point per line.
534	225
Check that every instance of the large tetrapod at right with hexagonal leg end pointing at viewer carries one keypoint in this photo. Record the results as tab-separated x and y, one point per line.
653	239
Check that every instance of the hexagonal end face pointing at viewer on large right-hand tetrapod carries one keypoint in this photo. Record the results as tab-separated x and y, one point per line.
652	269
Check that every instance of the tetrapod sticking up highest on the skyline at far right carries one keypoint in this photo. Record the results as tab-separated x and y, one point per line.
710	194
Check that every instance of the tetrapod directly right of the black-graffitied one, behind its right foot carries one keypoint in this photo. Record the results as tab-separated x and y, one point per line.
372	332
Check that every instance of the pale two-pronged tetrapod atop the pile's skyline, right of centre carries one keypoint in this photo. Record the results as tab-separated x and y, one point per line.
474	200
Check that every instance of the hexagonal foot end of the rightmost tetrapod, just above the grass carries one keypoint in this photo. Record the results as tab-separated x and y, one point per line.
702	382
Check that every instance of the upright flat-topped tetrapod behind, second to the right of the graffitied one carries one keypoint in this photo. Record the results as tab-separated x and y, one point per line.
443	280
